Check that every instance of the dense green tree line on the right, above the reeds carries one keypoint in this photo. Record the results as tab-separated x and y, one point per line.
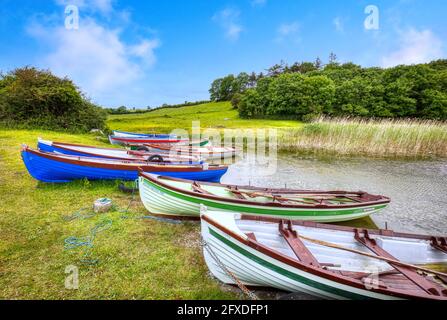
305	90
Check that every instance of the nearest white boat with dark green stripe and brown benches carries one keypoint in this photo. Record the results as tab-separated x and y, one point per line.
326	261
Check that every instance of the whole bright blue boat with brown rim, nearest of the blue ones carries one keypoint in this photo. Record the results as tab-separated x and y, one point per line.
52	167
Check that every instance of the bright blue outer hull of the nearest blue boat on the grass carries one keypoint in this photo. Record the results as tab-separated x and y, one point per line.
51	169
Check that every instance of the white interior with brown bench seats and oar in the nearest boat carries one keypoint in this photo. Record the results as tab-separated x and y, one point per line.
298	243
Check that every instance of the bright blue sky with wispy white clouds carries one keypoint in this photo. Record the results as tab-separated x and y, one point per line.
140	53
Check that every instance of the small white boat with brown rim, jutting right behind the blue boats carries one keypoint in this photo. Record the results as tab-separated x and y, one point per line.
204	152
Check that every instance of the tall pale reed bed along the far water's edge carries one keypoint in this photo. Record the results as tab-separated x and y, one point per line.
382	138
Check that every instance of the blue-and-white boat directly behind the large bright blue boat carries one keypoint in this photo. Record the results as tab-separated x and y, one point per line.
111	153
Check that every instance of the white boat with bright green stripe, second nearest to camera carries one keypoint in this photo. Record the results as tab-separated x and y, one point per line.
178	197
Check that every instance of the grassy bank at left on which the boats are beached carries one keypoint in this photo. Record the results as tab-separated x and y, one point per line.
138	258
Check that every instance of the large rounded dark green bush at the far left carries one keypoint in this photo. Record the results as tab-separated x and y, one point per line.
36	98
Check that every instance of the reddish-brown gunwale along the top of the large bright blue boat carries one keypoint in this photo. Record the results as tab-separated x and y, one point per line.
93	162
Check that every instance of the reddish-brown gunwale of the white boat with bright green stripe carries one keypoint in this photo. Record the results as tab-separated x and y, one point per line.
248	202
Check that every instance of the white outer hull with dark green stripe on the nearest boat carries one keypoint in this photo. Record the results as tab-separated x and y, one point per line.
254	268
